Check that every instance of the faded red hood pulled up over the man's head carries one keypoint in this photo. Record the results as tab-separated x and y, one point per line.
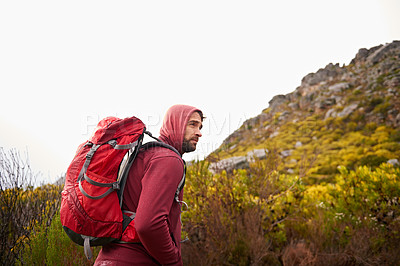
174	125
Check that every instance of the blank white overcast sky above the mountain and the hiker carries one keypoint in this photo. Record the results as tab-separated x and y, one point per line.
66	64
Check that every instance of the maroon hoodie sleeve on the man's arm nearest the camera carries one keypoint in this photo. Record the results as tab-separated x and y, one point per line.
159	185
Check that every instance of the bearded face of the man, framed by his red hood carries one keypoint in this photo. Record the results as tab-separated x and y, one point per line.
192	133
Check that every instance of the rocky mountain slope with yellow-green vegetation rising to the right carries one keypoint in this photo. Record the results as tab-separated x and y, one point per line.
339	115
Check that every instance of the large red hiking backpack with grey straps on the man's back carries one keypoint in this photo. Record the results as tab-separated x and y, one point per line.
92	197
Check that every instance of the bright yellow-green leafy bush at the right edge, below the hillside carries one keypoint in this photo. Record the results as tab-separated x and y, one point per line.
370	195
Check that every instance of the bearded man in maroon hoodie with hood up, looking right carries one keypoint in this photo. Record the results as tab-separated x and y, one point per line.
150	190
